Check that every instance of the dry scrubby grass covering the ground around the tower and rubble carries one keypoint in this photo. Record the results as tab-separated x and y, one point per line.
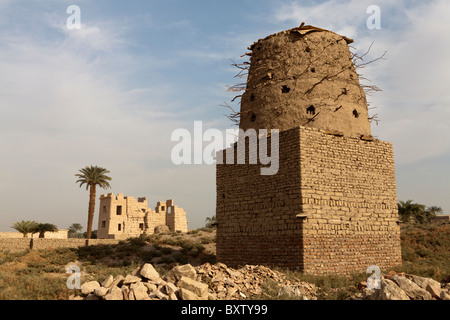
40	274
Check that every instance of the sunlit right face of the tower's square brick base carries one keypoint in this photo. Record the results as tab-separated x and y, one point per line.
350	200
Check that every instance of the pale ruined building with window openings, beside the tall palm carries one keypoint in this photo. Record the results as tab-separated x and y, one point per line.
123	217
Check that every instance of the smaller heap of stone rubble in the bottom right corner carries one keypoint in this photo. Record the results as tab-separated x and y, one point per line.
401	286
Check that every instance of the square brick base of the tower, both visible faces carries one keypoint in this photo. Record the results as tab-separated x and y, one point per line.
331	208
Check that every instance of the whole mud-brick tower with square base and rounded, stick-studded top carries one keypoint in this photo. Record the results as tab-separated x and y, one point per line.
332	206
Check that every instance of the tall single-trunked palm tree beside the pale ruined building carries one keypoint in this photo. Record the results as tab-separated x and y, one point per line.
92	177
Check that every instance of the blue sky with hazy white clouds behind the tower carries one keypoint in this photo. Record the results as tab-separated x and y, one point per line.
112	92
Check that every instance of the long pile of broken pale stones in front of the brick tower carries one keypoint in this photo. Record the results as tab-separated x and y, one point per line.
205	282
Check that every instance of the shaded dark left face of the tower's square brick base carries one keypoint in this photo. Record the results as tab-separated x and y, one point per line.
256	214
